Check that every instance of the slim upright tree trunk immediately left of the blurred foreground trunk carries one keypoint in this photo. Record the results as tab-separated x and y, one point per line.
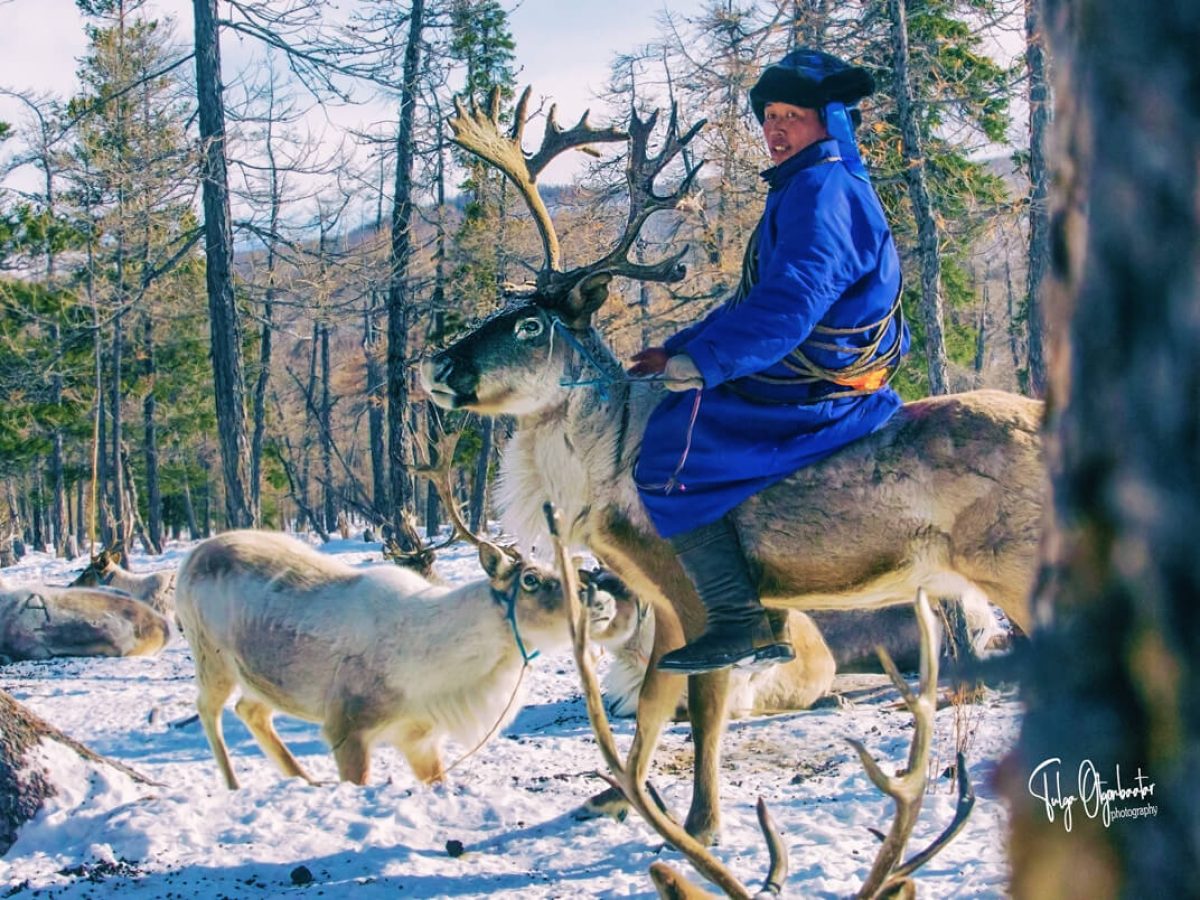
1040	190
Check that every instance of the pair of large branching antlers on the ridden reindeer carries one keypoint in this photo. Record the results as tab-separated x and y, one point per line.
479	133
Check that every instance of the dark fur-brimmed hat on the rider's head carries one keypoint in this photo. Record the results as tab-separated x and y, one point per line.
811	79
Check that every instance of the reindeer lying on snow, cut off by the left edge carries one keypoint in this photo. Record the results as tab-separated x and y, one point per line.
41	622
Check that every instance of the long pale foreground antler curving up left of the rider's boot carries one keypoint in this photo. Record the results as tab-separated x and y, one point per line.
669	883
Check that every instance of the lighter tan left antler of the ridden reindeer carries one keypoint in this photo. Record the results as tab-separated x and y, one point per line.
479	133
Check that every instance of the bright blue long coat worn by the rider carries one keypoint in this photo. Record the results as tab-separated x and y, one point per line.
825	259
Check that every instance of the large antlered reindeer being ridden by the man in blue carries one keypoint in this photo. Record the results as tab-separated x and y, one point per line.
949	496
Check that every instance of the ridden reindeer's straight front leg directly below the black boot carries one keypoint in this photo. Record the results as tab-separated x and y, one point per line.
707	695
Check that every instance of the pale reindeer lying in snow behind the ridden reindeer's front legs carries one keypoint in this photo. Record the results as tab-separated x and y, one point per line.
625	626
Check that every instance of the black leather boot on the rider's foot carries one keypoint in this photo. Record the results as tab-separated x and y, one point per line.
739	632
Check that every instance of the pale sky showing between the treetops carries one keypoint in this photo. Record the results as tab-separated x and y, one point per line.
563	49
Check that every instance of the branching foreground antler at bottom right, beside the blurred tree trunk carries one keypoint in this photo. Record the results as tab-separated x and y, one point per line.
887	879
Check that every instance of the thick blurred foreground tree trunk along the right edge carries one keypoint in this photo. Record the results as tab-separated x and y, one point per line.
1115	676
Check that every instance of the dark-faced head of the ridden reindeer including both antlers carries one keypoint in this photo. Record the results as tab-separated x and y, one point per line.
513	363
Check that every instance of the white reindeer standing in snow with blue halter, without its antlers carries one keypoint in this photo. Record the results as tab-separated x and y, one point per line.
374	655
